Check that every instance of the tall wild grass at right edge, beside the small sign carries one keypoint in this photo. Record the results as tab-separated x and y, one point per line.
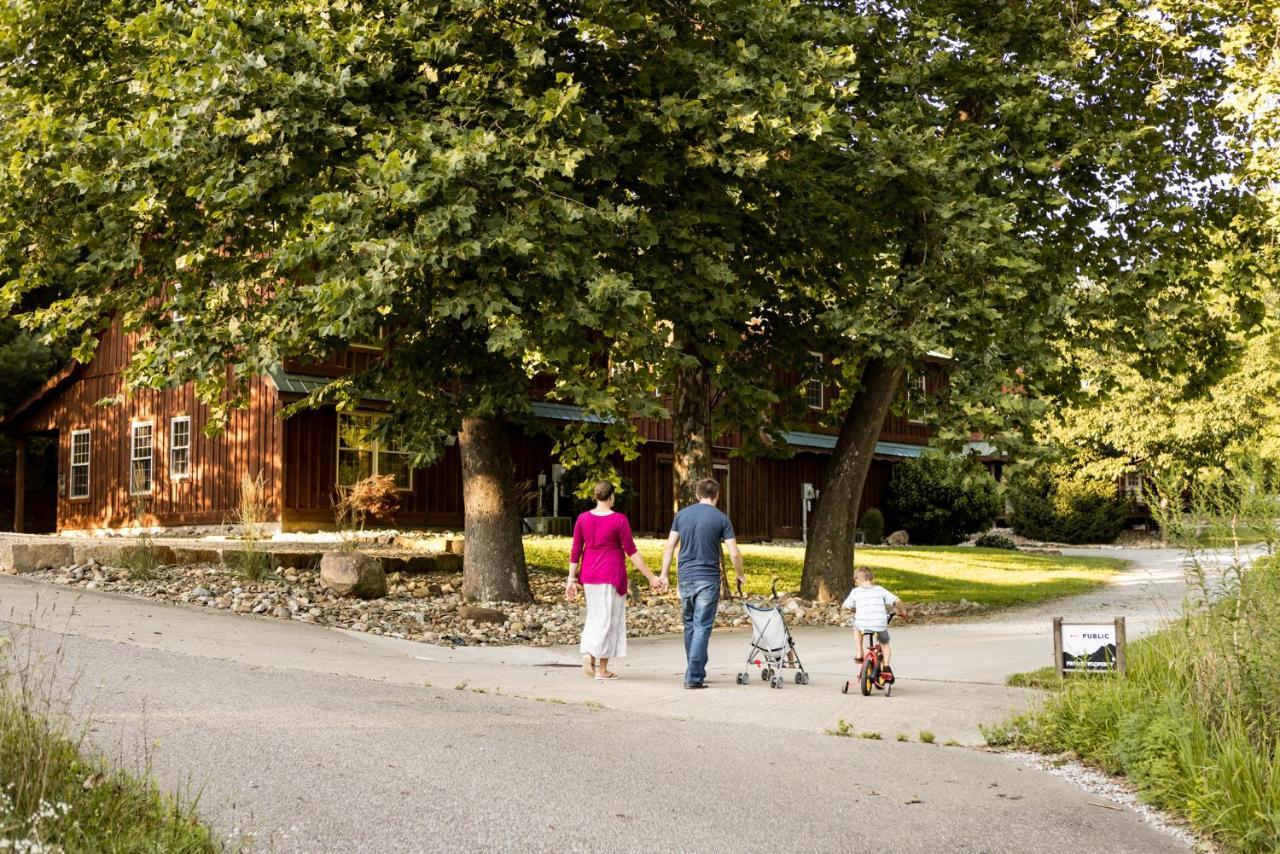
1196	721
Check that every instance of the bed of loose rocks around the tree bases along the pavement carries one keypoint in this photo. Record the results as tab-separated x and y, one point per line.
427	608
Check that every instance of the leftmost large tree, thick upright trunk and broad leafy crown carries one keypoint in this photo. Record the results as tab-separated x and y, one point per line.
244	184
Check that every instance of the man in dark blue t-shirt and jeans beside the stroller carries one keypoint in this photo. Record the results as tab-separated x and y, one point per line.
700	531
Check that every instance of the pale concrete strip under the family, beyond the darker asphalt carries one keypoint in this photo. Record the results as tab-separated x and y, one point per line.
950	675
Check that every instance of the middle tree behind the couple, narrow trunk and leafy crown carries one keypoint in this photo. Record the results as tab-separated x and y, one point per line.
716	104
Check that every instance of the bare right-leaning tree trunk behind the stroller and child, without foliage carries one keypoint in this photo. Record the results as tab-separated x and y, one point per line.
829	559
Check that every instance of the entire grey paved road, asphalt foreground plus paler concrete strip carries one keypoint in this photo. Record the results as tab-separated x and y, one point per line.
312	739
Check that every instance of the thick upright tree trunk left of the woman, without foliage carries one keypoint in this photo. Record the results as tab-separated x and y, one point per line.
493	563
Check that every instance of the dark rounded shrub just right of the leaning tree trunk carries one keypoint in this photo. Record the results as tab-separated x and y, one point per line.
940	500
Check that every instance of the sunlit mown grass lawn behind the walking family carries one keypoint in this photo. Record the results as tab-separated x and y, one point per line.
994	578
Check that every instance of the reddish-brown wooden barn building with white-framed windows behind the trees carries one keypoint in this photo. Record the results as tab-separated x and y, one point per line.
85	467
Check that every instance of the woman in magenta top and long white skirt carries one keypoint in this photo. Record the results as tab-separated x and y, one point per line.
602	542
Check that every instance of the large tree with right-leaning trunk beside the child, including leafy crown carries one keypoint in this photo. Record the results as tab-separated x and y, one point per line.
1035	175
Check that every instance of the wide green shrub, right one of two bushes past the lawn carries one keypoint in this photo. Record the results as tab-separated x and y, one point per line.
1052	504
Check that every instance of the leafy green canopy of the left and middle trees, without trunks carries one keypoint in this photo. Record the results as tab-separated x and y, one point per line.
506	194
